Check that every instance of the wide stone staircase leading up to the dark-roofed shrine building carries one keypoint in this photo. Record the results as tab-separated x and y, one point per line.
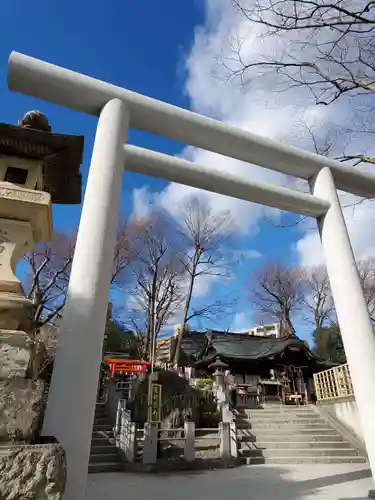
291	435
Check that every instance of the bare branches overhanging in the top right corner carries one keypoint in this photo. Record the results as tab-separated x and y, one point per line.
328	46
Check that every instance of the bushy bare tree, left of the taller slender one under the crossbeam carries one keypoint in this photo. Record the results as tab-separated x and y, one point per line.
158	285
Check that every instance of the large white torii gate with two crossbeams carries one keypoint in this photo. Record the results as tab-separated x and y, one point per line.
71	404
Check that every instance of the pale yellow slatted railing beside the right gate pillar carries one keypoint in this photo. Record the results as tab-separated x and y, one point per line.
333	383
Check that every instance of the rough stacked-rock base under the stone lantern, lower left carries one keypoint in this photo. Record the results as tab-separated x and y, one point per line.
30	466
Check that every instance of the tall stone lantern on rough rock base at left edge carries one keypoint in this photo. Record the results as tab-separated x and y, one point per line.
37	168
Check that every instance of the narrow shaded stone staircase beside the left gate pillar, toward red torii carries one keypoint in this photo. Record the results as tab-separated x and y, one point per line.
103	455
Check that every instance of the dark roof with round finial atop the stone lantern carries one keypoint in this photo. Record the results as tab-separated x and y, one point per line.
60	155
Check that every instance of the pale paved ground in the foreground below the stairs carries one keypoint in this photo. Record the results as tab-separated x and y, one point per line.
262	482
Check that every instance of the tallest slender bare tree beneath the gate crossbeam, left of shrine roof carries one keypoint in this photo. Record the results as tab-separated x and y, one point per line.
204	233
